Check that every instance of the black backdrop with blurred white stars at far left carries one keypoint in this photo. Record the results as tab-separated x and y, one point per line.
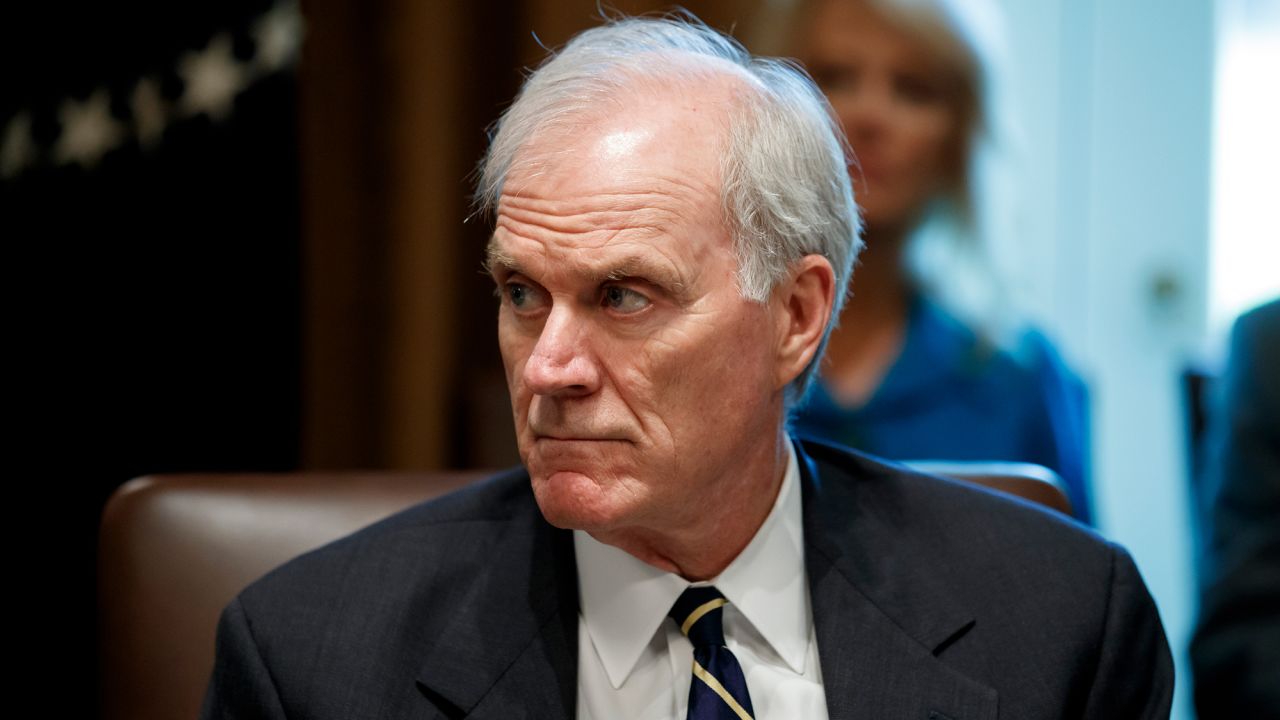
149	204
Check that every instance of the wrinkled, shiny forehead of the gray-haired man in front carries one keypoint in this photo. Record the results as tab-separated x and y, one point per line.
642	171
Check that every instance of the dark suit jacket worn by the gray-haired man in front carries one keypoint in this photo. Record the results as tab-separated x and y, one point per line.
931	600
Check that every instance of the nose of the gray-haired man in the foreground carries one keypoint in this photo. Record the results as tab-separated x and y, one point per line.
563	363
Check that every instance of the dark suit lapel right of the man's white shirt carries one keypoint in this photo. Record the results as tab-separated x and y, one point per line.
880	617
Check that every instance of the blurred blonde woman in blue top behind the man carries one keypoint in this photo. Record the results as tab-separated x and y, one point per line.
904	377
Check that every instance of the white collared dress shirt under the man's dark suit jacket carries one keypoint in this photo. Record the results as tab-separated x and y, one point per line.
633	663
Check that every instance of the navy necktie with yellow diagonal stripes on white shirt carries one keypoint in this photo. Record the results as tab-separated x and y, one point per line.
719	690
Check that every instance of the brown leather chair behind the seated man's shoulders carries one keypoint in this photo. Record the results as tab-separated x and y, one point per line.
176	549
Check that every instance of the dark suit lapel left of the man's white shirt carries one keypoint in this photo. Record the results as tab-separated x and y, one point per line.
514	651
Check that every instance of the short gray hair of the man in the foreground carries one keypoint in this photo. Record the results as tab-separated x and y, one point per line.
785	181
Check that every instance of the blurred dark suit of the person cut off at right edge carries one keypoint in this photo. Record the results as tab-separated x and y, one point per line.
1236	654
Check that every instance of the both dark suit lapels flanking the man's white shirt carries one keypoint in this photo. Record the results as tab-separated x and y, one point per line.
880	619
